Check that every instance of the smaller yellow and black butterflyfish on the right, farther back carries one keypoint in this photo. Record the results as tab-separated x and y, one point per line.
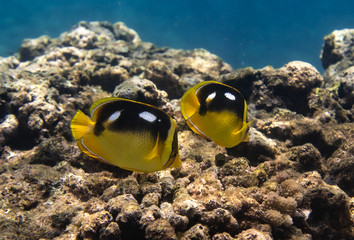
217	112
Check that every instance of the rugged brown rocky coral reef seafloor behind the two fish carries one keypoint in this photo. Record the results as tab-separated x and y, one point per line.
293	180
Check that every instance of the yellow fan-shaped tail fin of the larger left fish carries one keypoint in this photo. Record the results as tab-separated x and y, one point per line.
81	125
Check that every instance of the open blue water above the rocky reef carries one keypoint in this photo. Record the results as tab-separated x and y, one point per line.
242	32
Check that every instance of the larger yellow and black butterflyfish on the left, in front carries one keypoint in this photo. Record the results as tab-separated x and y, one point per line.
128	134
